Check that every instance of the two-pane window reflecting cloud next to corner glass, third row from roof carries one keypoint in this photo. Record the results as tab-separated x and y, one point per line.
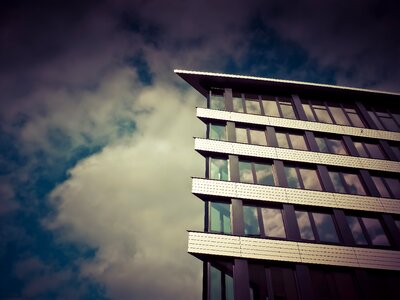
260	173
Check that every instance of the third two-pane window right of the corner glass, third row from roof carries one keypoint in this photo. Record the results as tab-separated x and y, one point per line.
347	183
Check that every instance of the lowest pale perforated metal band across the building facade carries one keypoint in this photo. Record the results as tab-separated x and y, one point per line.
310	253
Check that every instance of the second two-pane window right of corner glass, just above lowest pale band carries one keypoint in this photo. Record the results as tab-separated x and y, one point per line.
316	226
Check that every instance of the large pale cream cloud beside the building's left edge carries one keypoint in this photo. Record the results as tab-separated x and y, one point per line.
132	203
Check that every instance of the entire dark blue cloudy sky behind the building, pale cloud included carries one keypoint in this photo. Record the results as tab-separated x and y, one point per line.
96	130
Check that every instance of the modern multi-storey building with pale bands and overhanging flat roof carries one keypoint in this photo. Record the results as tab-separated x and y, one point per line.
301	190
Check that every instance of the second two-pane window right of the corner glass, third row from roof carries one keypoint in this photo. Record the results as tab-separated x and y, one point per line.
300	177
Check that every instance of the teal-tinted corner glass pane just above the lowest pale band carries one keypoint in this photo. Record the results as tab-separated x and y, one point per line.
220	219
